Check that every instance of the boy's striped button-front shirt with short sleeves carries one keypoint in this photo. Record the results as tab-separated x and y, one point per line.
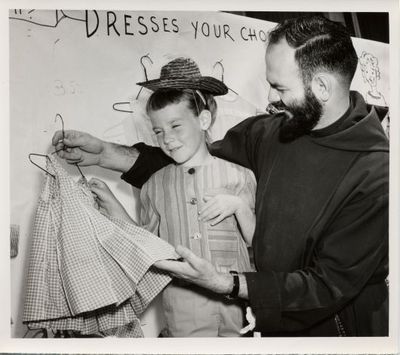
172	198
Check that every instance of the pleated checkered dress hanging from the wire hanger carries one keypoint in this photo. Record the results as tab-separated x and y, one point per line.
88	272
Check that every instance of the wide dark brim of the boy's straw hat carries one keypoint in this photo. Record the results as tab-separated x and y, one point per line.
203	83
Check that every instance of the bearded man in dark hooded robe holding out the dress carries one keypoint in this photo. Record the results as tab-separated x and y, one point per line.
321	163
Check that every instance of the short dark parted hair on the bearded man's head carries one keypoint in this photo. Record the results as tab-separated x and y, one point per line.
320	44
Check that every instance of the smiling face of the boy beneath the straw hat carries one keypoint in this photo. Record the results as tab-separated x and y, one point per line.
179	133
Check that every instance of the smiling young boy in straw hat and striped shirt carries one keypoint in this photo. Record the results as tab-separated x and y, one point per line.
201	202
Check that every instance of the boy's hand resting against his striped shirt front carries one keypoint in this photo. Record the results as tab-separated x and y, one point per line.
218	207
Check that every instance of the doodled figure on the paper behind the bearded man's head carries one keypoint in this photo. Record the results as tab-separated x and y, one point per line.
371	75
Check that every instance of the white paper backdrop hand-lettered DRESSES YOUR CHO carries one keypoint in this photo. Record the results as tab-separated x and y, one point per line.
80	63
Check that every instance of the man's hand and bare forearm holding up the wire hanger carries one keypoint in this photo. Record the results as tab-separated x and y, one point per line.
84	149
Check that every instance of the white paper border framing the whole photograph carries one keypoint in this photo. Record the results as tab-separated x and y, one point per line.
206	346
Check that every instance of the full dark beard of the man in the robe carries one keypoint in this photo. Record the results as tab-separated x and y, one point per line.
299	118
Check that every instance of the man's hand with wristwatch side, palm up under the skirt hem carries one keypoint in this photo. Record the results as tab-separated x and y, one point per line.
198	271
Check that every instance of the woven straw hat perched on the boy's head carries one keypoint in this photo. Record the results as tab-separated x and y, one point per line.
184	73
